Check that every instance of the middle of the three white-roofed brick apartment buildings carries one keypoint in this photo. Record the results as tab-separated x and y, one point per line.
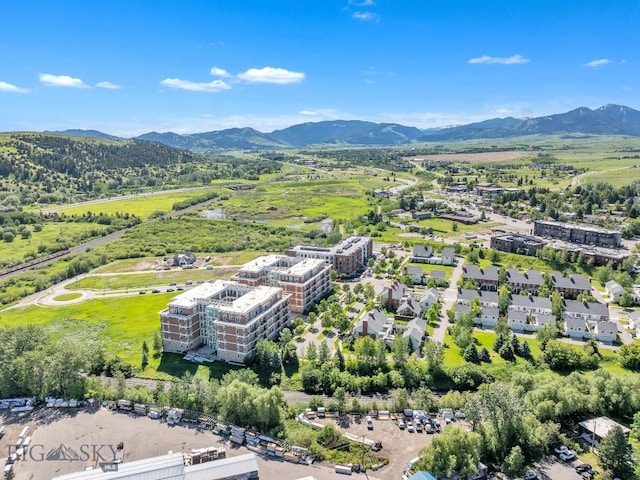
305	280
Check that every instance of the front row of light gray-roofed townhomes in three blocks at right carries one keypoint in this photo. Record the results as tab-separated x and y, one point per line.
529	313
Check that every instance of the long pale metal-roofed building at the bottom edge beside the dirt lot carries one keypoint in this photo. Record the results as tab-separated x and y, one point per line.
172	467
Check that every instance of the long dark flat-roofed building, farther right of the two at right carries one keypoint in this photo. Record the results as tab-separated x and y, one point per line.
584	234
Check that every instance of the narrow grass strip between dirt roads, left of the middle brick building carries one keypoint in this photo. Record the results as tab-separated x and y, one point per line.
148	279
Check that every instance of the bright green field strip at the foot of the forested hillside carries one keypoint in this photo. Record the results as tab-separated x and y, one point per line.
139	206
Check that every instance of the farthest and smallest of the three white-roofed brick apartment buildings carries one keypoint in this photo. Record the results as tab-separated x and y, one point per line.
348	257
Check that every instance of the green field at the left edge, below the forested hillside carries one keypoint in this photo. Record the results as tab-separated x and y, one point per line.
51	234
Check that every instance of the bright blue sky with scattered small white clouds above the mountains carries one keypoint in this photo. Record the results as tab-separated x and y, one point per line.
128	67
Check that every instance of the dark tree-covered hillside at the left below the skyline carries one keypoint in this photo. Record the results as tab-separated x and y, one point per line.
48	168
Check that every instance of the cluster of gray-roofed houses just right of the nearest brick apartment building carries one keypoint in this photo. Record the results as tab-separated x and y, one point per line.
408	306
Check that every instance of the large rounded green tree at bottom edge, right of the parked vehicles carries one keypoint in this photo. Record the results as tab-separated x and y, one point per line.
454	450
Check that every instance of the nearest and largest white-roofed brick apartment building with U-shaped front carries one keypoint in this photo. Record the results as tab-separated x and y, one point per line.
225	316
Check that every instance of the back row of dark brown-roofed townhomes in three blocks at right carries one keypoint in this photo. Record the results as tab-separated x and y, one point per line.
488	278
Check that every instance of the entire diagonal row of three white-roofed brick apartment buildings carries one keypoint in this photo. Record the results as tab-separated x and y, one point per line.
224	320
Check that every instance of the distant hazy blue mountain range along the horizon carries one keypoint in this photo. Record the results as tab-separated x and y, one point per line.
606	120
